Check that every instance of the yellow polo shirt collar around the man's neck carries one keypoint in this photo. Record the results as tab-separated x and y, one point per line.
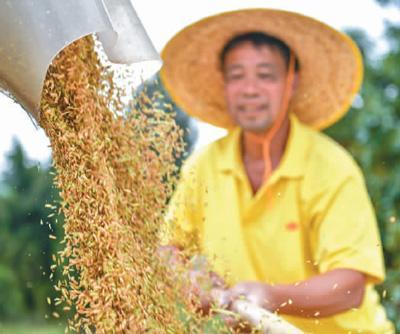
293	160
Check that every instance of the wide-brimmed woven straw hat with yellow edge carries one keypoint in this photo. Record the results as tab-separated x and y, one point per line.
330	65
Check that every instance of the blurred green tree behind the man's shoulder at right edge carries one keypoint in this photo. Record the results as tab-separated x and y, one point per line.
371	132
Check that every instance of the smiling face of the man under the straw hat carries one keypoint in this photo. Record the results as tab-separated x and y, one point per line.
254	80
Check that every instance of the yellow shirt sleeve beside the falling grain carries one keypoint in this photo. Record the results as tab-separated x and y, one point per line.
184	211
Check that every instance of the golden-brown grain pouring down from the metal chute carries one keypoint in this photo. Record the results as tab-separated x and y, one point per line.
115	174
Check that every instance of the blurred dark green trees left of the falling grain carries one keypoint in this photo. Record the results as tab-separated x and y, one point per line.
25	247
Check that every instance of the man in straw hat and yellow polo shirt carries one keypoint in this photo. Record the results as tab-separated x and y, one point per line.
279	209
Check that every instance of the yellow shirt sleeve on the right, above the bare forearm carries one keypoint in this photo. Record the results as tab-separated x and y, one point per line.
345	232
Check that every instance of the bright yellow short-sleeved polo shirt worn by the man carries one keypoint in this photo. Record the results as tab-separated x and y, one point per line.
313	215
